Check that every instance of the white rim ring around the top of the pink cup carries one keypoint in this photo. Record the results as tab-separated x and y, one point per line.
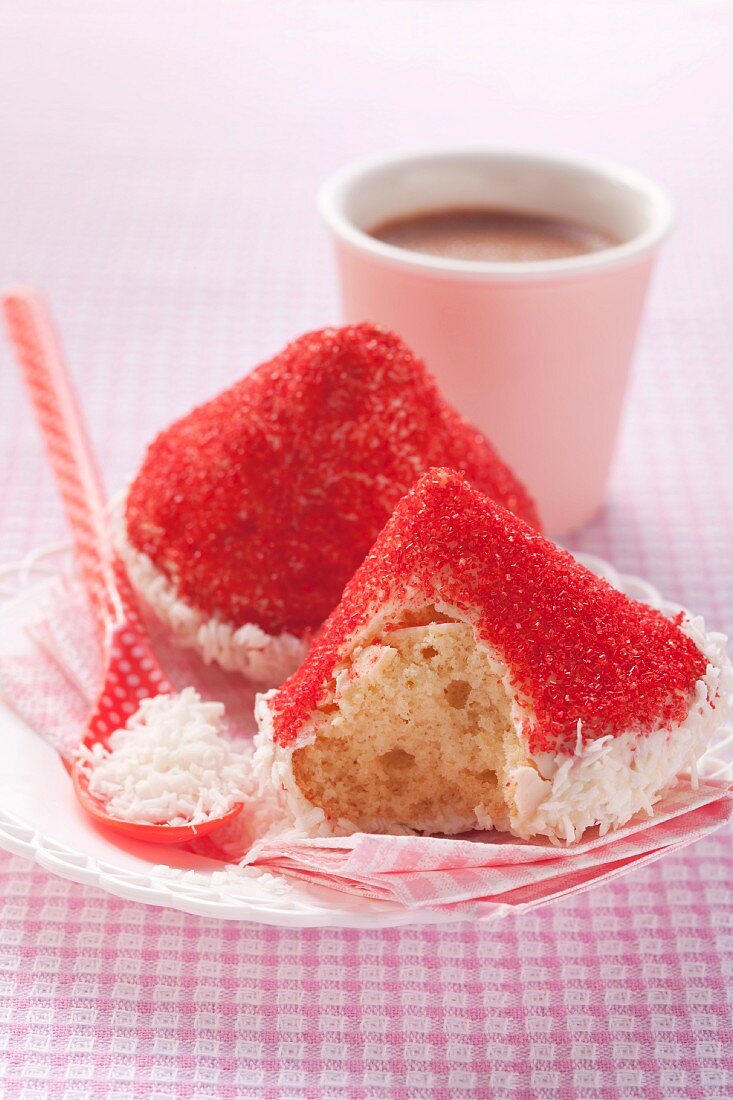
334	191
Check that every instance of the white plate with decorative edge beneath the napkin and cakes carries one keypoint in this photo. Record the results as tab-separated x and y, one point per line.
40	818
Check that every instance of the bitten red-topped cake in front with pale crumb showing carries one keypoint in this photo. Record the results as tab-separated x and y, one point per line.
476	676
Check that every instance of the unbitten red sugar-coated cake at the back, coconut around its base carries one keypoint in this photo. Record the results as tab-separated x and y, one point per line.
250	514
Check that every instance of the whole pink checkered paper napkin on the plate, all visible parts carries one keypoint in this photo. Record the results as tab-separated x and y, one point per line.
483	875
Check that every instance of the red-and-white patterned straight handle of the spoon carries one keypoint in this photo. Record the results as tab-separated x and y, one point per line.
41	360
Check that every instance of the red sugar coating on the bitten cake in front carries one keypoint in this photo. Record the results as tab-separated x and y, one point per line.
577	648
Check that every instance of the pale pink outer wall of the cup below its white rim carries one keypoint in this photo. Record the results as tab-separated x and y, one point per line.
541	368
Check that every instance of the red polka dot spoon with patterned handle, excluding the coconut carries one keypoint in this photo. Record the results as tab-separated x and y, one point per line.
132	670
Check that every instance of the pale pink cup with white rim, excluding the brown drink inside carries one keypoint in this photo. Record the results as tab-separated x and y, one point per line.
535	354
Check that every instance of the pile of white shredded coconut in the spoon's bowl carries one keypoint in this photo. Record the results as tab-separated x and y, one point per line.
170	764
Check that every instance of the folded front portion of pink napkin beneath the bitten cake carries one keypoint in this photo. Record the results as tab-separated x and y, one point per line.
421	872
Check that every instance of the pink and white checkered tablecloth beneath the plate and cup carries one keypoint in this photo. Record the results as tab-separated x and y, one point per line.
159	167
